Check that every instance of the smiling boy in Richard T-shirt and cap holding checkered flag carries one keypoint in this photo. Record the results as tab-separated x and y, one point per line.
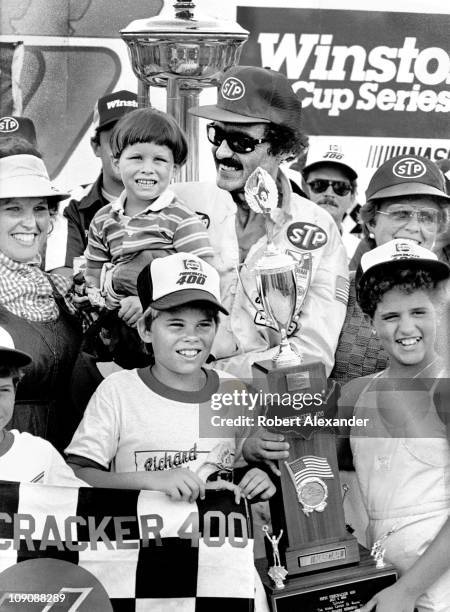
145	429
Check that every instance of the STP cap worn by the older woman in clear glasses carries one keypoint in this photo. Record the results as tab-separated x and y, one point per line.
407	175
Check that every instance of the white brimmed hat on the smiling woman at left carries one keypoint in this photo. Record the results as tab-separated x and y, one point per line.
25	176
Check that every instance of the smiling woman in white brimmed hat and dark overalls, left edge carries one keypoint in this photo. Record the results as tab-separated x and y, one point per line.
32	303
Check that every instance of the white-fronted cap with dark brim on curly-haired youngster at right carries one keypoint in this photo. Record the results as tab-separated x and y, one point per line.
401	253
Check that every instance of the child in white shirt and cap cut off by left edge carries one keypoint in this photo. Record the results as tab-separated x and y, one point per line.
24	457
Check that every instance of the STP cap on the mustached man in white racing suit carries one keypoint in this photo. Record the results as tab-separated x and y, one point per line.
253	95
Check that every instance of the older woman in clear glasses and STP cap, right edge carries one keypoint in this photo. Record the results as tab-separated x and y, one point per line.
406	198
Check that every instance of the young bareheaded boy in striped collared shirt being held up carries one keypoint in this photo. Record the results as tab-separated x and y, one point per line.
147	220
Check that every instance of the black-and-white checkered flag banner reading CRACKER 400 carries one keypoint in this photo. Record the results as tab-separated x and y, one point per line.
142	550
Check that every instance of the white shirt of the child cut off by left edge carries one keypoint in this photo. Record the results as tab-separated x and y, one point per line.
33	459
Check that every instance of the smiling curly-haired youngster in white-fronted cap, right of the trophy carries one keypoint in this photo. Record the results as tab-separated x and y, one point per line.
402	455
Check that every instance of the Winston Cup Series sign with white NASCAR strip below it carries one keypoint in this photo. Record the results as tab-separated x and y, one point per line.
376	81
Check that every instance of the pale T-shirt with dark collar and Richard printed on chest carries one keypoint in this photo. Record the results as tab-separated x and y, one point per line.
134	422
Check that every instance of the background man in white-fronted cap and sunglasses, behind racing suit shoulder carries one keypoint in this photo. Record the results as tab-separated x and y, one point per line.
330	180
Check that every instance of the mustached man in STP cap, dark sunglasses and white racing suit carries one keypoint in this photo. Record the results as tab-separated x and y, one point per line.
256	123
